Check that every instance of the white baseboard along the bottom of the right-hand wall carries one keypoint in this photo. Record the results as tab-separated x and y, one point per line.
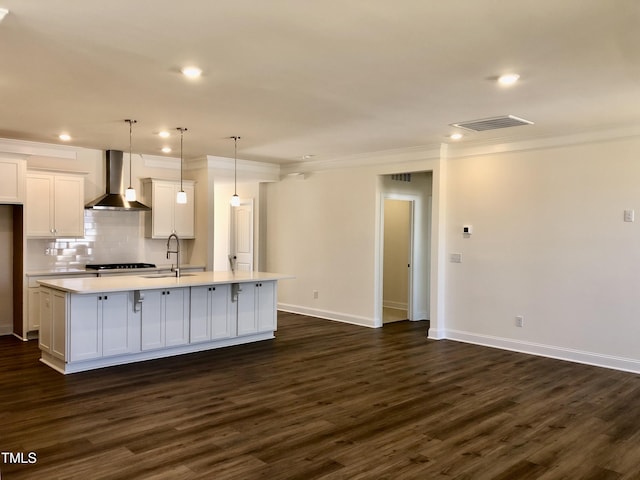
578	356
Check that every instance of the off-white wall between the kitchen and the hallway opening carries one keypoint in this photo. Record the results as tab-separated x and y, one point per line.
324	228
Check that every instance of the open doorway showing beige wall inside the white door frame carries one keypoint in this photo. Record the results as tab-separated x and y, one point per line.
397	260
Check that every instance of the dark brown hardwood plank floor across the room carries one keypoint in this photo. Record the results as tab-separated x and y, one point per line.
324	400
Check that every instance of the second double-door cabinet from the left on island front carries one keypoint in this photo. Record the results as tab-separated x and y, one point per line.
165	318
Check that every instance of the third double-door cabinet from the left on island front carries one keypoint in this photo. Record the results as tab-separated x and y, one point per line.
211	317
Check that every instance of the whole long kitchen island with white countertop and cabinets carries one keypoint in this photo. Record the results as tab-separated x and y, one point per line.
88	323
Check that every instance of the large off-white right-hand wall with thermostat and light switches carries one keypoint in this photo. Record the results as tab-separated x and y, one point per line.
549	243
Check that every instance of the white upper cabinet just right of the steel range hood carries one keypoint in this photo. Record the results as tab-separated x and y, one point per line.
167	216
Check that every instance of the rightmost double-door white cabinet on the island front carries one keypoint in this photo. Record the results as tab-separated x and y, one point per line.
257	307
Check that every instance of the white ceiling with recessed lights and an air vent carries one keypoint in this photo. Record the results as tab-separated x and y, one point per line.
330	78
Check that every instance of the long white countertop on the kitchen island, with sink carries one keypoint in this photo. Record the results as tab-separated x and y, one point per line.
148	281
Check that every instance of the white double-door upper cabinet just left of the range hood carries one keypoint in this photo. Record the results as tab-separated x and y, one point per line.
54	205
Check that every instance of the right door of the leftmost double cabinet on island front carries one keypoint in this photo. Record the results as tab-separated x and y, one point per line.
115	324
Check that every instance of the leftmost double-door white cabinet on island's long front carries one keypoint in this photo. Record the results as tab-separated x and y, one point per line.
99	326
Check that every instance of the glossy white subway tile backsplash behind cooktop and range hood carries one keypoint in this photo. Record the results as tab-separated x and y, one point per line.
110	237
